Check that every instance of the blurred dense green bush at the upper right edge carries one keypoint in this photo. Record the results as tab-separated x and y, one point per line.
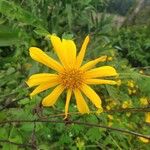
134	44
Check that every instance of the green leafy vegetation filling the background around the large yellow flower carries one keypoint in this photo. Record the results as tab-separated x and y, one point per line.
113	31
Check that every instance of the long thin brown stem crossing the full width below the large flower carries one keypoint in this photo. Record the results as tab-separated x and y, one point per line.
80	123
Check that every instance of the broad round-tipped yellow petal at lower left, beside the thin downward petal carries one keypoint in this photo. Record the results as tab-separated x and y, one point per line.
51	99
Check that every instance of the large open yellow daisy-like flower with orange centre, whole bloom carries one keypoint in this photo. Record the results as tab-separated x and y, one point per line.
70	74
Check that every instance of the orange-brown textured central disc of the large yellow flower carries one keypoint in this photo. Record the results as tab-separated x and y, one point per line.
71	78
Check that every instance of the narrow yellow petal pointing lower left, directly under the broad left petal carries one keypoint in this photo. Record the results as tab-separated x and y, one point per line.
42	87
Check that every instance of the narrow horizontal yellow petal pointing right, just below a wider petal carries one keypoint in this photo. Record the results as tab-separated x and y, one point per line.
100	81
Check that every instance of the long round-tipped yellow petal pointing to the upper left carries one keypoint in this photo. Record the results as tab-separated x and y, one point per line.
38	55
